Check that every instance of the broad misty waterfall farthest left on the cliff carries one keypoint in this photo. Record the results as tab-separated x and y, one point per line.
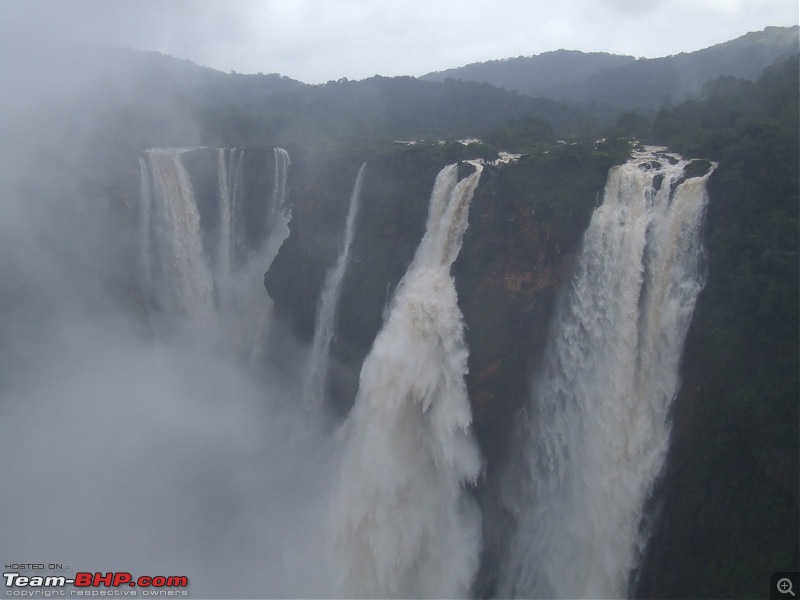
180	281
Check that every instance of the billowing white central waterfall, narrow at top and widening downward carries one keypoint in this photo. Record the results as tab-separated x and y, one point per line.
403	524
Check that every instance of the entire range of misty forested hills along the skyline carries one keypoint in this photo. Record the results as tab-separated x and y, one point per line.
148	99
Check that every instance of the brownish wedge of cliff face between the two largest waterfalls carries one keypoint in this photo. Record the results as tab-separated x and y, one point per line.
526	224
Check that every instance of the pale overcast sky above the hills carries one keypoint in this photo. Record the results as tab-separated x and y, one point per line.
316	41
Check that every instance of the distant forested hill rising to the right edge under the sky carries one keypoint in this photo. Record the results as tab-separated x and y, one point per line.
624	81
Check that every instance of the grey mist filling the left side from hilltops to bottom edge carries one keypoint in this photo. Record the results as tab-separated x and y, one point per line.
128	448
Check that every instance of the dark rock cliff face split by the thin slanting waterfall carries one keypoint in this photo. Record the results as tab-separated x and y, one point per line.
393	207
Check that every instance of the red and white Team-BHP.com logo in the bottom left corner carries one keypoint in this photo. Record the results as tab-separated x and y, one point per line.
38	585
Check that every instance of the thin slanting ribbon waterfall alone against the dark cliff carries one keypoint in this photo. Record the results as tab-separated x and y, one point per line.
314	387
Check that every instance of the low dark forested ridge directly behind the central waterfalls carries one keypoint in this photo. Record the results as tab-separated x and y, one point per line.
386	108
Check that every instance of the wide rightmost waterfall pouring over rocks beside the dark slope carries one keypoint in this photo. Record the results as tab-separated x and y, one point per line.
597	422
